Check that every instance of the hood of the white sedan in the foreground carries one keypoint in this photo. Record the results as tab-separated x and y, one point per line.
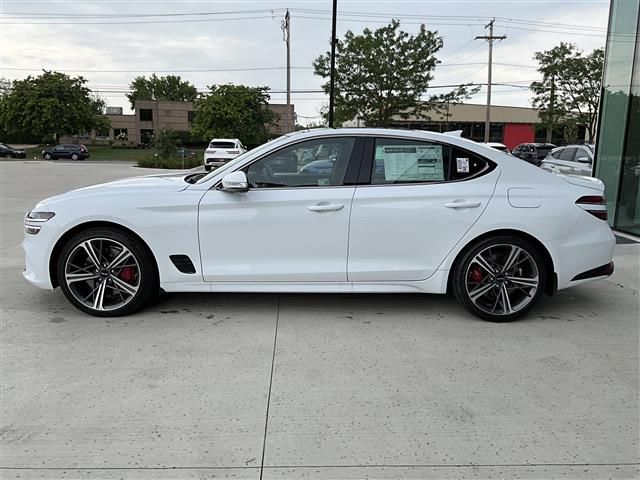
173	182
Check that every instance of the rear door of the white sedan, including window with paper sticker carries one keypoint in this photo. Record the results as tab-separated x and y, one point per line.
421	198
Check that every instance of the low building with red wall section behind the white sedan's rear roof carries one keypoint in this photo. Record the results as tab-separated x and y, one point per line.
509	125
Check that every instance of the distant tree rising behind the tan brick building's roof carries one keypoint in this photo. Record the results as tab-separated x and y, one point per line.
169	88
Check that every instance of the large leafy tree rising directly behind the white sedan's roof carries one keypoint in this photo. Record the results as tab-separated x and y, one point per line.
384	73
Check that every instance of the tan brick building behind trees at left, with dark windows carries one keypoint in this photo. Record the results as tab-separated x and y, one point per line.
151	116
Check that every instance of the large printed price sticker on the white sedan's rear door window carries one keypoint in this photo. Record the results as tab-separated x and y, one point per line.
411	163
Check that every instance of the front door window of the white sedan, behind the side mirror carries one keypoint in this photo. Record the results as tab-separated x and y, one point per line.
320	162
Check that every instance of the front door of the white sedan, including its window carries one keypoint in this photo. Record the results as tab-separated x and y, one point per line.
293	223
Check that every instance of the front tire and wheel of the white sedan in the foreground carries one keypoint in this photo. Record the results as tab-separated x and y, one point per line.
88	283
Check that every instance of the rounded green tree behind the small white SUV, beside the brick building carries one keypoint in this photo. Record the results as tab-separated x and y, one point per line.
234	111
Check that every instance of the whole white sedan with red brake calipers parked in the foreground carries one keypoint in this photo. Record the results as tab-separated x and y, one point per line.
399	211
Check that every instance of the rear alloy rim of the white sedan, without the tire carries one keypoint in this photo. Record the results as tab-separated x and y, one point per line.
502	279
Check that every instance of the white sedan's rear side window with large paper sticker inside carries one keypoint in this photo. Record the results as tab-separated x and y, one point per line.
409	161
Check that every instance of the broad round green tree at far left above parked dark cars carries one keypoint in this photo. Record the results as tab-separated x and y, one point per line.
50	105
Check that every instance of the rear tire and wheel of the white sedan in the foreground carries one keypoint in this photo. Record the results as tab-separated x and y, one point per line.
481	281
